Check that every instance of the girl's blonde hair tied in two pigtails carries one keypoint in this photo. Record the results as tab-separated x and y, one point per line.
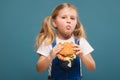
47	33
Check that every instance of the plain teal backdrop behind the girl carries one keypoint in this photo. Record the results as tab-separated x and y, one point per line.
20	22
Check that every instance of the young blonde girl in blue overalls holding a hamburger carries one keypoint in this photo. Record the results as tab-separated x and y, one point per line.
63	25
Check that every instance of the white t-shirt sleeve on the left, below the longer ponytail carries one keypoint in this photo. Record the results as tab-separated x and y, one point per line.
44	50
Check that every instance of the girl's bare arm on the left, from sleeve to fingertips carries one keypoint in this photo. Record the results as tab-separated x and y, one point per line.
44	61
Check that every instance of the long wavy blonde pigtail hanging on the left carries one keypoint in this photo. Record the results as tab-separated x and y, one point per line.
46	34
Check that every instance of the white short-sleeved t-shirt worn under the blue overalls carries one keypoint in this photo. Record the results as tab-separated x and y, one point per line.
84	45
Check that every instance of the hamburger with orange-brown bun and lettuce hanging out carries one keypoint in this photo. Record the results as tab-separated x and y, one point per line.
67	53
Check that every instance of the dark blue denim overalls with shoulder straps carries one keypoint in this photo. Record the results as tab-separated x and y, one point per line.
60	70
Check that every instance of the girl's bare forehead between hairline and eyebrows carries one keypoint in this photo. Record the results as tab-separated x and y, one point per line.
68	11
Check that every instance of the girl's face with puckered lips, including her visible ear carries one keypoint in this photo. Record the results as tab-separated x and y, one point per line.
65	22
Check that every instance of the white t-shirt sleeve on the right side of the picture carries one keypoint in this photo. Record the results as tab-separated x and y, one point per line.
85	46
